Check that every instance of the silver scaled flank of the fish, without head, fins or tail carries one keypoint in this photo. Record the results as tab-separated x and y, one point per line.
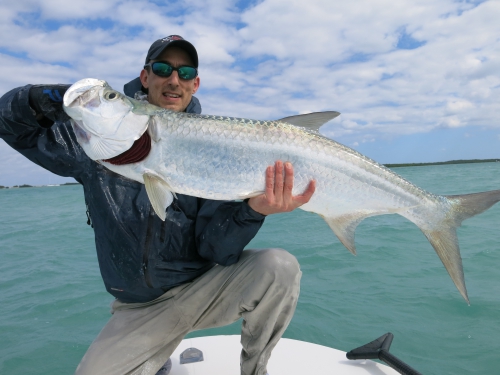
232	155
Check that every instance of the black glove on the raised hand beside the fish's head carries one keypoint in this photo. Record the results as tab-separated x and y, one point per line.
46	101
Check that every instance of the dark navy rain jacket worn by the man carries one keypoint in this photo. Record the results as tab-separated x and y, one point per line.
140	256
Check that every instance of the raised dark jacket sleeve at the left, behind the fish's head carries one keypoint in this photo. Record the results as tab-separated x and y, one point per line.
54	148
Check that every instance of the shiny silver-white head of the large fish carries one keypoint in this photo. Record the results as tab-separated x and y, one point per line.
102	118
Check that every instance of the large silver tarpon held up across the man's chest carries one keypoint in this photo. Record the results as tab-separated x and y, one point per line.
225	158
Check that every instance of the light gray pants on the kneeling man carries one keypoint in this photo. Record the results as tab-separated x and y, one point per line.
262	288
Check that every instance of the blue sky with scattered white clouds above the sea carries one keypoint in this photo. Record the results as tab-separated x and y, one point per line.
414	80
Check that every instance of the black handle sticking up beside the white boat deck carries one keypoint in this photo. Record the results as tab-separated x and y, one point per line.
379	349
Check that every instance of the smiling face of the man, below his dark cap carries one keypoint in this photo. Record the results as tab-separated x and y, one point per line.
170	92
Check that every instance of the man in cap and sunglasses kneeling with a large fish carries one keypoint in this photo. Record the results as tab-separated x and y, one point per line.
173	277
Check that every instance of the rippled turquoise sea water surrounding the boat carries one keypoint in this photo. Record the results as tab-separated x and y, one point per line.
53	302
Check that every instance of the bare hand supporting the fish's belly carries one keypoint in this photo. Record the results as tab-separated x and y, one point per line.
278	195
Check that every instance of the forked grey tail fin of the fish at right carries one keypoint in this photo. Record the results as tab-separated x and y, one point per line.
443	237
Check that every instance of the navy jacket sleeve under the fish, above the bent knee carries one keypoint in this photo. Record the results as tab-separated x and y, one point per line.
223	229
